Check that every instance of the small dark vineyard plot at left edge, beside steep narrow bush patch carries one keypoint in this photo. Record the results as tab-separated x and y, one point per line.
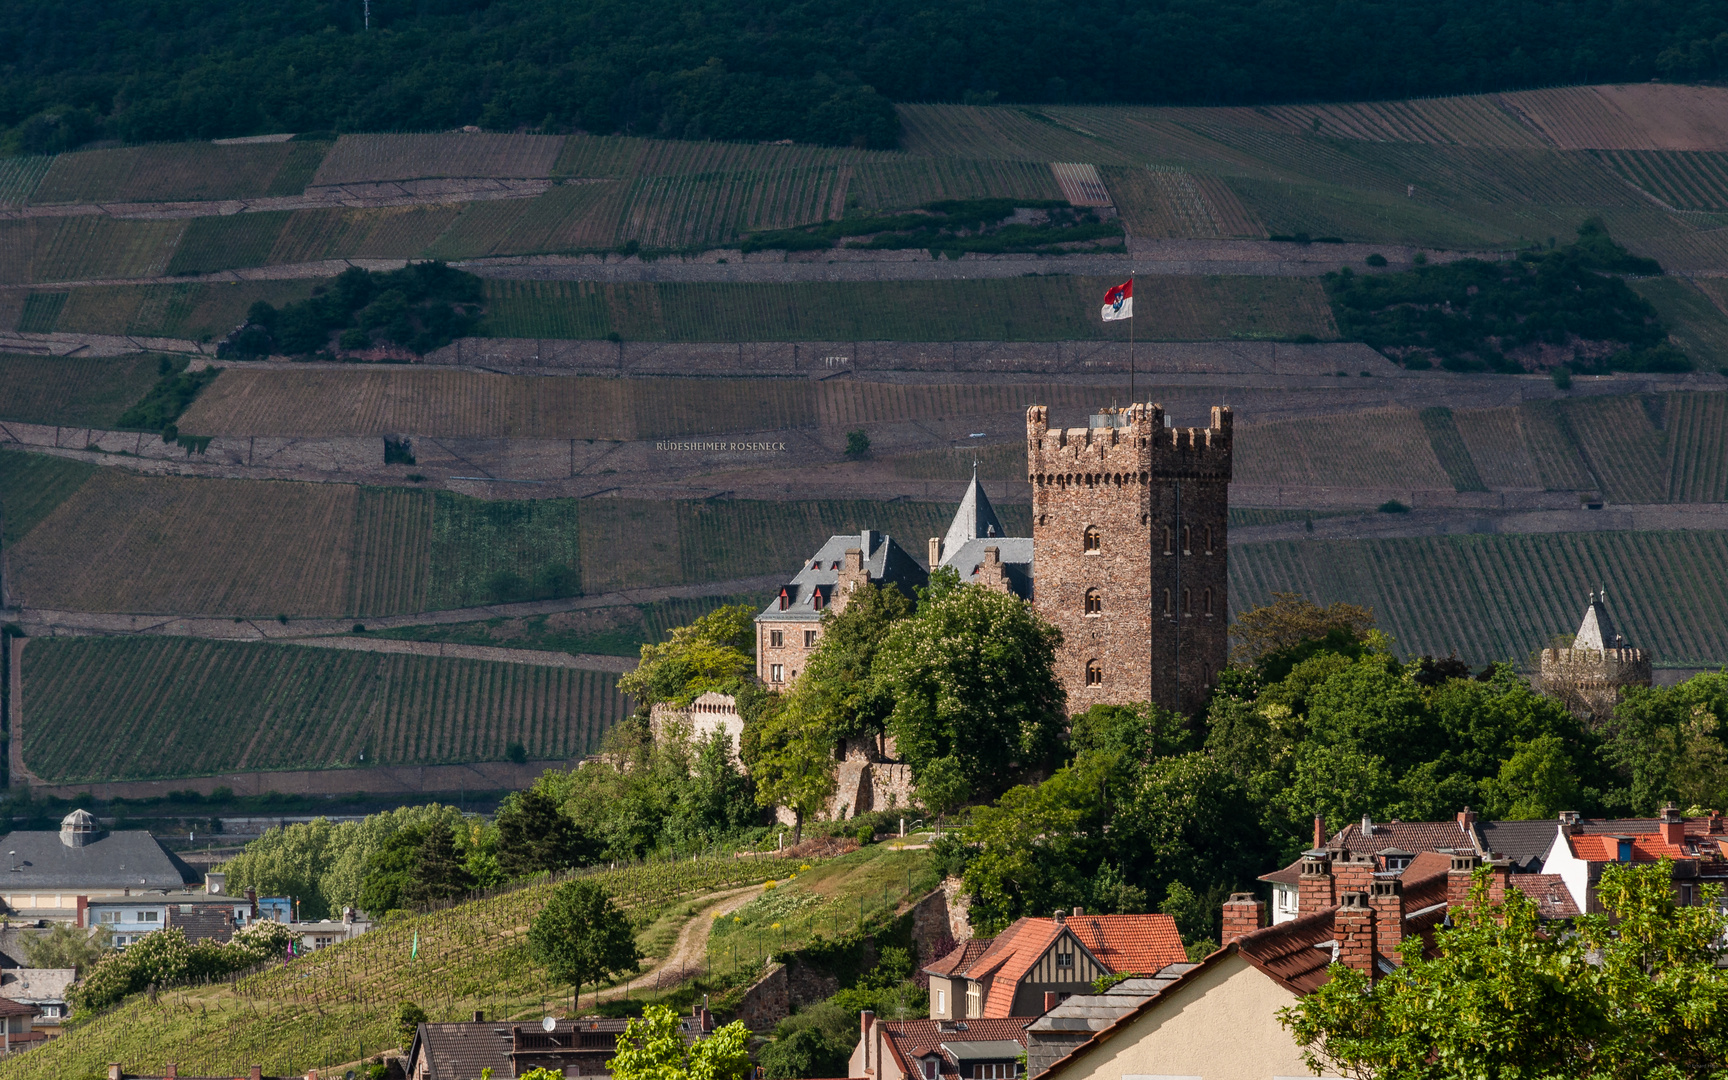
73	391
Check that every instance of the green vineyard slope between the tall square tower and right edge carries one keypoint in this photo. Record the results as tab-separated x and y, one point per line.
1504	597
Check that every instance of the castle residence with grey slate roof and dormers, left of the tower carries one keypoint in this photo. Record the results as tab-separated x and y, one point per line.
791	626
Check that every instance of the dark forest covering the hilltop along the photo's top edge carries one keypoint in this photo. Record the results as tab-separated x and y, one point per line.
813	70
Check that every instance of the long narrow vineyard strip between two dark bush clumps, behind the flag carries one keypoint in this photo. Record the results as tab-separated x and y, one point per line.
1057	308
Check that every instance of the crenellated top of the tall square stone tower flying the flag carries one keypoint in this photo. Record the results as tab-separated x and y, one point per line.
1126	447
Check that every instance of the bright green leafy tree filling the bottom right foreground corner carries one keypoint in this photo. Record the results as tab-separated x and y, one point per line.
1632	993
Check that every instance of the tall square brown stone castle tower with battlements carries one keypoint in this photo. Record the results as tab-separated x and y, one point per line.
1131	526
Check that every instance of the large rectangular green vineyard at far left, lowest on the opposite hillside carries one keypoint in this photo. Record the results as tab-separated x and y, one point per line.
158	708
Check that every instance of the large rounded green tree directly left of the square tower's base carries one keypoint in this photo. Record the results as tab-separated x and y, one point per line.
974	680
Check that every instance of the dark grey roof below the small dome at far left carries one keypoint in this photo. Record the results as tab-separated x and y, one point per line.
130	860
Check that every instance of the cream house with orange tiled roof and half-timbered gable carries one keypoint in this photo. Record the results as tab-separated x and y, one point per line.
1038	963
